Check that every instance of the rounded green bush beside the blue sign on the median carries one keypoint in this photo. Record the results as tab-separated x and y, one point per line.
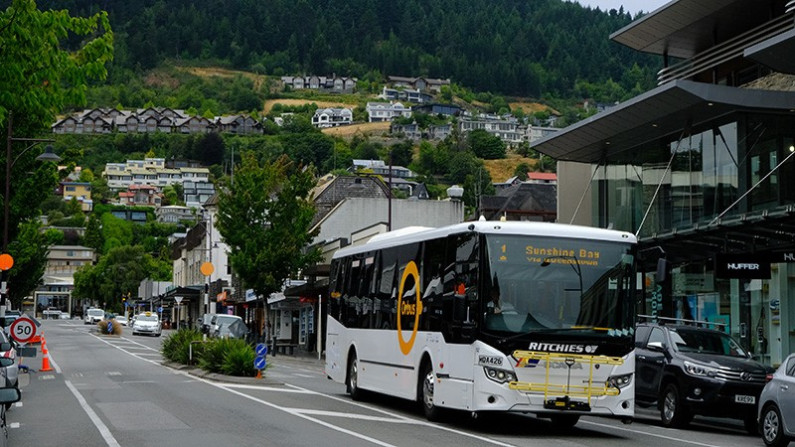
231	356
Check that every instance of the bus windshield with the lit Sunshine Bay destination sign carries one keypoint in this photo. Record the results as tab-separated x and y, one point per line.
555	284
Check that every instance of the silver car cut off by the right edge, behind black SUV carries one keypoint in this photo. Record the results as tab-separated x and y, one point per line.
777	406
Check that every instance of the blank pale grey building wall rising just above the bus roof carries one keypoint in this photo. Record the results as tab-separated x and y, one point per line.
356	213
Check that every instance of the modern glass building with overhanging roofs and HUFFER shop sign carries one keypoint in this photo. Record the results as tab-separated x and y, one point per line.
701	168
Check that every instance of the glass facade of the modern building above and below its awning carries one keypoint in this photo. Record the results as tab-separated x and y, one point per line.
727	169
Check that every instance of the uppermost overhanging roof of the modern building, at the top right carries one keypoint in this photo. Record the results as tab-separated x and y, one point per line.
684	28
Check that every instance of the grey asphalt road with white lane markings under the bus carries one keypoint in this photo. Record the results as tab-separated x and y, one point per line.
115	391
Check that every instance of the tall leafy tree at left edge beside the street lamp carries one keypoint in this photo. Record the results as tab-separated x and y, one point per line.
45	68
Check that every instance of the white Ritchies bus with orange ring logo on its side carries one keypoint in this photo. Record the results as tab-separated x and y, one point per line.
488	316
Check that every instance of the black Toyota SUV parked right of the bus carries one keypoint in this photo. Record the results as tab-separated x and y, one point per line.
687	370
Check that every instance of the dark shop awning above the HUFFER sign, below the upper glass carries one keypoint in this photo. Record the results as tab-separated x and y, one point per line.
770	232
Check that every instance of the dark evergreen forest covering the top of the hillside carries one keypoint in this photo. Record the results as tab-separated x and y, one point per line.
525	48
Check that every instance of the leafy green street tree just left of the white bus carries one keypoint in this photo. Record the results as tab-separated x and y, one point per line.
265	217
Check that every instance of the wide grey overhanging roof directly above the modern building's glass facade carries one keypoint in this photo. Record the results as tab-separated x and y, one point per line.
660	112
